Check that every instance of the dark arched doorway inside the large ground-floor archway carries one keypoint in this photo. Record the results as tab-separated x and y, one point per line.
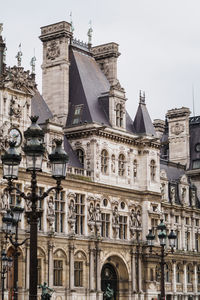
109	277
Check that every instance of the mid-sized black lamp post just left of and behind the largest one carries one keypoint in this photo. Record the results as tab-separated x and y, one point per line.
12	218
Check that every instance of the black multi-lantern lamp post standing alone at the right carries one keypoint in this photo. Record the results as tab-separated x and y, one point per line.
162	238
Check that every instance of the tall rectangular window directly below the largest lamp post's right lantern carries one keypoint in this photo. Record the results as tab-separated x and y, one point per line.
59	211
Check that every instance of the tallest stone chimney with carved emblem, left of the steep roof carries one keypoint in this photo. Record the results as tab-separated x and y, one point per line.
55	67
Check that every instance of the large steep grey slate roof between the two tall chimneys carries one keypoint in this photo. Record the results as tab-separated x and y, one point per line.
89	86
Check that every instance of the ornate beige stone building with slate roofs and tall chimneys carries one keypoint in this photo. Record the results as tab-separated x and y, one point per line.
123	176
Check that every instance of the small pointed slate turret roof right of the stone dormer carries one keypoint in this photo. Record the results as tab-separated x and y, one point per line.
142	122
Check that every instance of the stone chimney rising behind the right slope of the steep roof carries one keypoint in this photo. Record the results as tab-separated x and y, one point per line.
106	56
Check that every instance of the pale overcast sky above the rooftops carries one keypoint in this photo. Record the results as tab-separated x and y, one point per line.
159	43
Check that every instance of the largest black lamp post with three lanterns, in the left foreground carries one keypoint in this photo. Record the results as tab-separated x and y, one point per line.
34	151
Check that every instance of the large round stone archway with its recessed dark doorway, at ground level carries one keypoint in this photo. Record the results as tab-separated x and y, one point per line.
114	272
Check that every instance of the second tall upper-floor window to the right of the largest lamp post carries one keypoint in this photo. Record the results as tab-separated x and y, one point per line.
79	209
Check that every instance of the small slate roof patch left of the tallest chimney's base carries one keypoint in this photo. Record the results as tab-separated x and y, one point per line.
40	108
